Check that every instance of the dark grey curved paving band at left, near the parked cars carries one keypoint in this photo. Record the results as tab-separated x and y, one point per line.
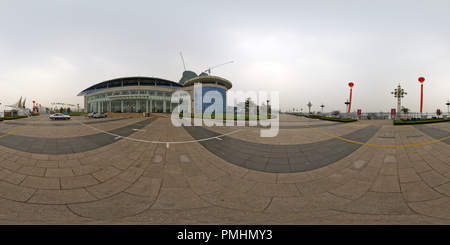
55	146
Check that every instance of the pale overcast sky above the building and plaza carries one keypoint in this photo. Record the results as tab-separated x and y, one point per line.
306	50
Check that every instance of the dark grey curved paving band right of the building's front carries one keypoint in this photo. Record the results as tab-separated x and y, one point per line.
282	158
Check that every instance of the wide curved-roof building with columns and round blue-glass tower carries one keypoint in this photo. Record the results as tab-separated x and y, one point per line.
149	94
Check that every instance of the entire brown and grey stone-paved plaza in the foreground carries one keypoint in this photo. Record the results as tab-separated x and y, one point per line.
145	170
